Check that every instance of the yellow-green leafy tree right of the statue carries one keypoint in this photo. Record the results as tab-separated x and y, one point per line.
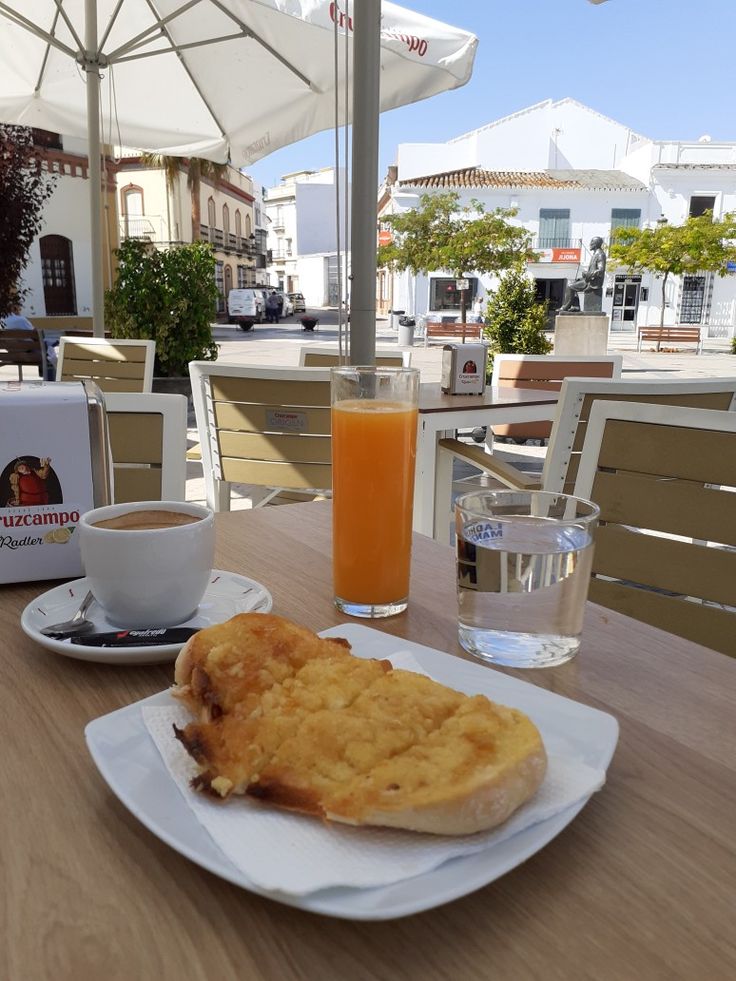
698	245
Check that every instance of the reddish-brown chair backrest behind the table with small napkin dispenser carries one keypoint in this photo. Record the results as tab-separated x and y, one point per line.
546	372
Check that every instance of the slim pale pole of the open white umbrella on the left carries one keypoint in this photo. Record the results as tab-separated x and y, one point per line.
92	69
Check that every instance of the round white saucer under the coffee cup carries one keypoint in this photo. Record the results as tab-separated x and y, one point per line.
227	594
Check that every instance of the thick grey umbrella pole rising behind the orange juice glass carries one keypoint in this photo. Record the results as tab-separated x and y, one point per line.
366	101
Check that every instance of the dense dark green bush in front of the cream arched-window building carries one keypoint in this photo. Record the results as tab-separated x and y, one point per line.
166	295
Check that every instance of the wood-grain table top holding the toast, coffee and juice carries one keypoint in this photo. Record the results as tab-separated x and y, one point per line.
640	885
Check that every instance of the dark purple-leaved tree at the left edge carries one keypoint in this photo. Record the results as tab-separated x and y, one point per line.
25	186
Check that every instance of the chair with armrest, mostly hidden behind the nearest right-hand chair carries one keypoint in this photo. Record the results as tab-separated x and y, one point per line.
577	396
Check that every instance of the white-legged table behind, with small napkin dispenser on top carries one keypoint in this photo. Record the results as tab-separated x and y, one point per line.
441	414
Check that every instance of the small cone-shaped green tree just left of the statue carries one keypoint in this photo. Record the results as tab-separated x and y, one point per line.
515	319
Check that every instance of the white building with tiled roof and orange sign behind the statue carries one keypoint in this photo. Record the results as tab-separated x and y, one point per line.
572	174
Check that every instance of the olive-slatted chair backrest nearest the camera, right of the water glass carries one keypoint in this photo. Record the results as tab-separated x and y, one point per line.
664	478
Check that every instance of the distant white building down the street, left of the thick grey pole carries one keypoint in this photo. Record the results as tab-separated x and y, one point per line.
302	234
